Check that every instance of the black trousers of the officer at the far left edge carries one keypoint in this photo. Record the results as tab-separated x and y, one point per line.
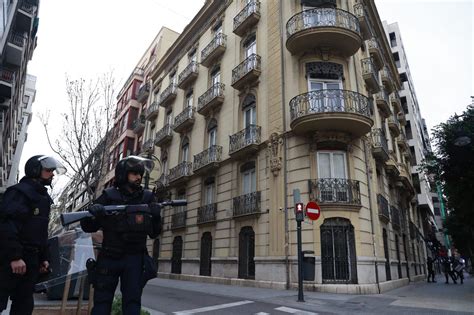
19	288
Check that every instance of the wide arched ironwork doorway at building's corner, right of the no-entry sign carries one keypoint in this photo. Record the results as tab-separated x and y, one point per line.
338	256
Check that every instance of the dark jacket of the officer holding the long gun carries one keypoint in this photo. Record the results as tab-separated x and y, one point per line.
117	237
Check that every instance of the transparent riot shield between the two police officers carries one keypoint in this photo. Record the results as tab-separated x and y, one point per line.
69	252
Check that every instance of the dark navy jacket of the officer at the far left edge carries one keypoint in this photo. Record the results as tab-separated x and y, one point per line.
24	218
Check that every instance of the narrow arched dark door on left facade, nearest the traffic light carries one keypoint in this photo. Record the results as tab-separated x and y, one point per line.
247	253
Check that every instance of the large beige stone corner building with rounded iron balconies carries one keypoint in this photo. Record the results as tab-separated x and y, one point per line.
255	99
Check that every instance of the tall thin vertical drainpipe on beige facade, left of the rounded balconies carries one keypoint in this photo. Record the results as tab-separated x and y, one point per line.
285	147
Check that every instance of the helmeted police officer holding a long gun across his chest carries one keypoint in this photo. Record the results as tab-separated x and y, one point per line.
124	237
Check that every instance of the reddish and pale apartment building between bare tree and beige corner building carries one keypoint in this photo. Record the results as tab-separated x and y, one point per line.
129	120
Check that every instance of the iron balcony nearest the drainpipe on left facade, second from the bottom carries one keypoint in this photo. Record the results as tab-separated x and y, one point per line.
245	142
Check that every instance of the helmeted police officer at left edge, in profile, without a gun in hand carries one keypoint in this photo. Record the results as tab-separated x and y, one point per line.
24	218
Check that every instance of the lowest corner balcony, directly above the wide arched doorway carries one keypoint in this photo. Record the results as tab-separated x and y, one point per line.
336	193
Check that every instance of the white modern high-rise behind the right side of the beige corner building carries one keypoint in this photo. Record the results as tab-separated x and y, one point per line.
416	133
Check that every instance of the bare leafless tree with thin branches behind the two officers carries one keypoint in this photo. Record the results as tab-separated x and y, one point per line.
86	127
